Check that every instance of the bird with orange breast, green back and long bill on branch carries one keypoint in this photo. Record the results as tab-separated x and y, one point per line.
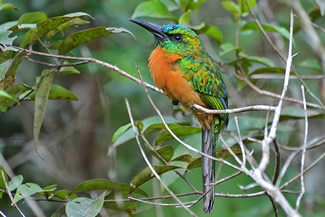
182	68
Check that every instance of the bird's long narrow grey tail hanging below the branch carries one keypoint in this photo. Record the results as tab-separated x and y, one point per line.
209	139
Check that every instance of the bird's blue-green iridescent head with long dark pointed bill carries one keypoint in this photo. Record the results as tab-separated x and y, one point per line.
177	39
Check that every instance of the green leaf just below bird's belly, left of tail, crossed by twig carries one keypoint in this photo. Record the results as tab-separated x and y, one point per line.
178	131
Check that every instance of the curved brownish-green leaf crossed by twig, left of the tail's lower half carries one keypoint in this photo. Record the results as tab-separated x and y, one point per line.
146	175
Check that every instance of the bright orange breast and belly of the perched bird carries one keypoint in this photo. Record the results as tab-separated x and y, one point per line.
169	77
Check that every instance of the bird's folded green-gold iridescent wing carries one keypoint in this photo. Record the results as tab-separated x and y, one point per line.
206	79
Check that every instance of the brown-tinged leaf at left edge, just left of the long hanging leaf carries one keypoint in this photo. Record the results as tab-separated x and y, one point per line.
8	70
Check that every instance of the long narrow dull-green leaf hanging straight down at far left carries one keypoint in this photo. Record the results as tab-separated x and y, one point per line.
43	86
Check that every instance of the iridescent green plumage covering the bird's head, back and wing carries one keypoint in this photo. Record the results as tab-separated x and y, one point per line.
197	66
